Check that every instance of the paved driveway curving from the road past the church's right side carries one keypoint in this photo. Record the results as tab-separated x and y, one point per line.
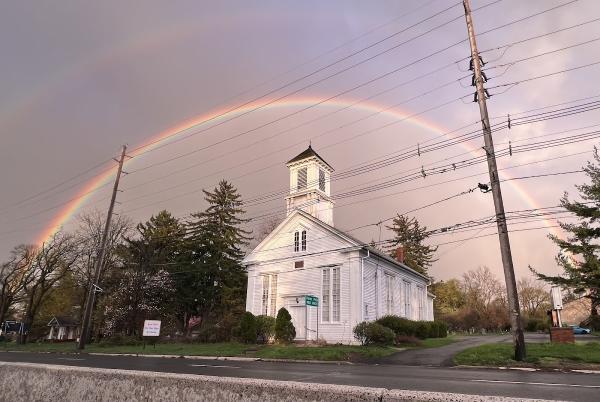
442	356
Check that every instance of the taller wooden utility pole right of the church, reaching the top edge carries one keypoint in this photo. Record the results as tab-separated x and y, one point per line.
509	273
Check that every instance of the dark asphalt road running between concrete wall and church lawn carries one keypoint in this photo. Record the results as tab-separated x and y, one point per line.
546	385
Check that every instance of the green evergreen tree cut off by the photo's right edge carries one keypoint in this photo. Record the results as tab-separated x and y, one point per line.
578	255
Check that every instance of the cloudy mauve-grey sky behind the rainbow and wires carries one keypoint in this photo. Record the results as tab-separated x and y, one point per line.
80	79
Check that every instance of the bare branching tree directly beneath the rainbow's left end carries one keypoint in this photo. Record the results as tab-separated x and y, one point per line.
52	261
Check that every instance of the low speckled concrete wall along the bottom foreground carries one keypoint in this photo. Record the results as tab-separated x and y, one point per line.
39	382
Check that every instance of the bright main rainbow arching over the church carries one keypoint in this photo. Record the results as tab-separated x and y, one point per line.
187	127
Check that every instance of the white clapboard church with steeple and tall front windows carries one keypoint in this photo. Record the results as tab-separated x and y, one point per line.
305	261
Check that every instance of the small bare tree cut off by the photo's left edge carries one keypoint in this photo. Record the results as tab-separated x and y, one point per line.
14	278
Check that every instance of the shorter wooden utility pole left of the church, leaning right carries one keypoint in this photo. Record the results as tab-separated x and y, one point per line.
89	306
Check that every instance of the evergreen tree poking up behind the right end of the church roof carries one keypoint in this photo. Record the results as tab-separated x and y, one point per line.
409	234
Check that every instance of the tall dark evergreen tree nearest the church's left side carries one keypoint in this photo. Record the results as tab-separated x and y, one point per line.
215	287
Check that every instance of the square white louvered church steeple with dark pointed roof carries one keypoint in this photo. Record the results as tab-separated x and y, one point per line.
310	189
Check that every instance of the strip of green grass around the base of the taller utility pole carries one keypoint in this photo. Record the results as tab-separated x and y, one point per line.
538	354
